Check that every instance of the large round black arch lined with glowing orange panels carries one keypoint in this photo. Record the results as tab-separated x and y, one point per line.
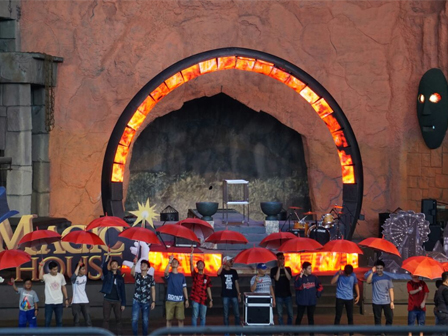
241	59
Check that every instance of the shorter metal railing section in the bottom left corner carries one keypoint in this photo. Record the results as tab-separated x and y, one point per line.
57	331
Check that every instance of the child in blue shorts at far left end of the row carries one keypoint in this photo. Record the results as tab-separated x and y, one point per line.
27	304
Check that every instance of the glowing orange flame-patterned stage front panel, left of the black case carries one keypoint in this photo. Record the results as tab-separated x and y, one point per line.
159	260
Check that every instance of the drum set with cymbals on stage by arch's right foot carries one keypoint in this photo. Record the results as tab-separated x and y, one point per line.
323	230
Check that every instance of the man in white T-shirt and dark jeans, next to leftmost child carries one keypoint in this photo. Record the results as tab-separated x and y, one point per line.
55	293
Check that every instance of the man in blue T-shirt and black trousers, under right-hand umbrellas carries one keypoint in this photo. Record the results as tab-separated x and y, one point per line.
346	280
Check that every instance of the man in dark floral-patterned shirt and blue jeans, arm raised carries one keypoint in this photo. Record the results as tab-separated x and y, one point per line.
144	296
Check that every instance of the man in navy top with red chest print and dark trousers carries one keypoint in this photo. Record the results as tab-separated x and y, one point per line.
308	289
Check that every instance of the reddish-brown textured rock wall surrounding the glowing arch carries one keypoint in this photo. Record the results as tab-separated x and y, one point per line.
368	55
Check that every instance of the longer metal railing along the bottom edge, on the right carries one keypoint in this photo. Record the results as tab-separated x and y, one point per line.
305	330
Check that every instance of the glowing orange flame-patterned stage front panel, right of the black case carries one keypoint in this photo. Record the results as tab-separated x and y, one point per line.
321	261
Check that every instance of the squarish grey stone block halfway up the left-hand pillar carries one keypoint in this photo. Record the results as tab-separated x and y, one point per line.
18	146
